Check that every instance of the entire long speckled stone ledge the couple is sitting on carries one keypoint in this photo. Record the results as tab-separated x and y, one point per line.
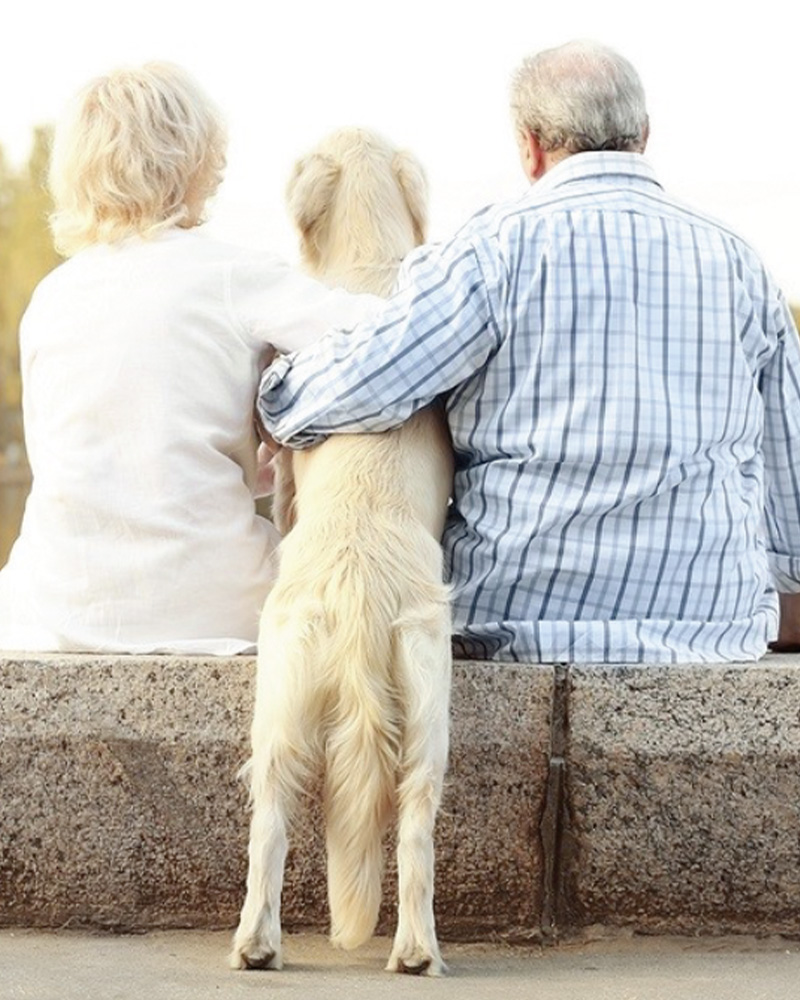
657	798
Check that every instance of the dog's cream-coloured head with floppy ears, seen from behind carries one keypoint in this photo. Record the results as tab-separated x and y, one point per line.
356	196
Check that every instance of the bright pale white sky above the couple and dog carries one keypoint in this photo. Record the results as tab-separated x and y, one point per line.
433	76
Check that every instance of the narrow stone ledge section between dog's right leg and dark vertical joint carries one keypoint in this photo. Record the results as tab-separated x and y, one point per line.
489	864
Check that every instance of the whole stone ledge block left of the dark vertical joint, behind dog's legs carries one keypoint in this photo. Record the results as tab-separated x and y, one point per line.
120	806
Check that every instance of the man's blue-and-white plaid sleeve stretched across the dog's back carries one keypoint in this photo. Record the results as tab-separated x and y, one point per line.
436	331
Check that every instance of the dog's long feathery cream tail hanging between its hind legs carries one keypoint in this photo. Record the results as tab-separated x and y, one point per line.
362	760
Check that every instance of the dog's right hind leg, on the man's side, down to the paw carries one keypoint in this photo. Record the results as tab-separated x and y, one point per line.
424	663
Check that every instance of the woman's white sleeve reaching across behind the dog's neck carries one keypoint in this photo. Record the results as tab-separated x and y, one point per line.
277	305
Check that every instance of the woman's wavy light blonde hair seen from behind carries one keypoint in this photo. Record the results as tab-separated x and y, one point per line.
138	151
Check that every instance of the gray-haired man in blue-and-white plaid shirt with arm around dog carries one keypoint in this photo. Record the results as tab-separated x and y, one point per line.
622	384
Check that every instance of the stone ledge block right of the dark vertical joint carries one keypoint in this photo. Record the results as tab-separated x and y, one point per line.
683	795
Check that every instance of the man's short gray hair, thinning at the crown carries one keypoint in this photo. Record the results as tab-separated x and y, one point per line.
580	97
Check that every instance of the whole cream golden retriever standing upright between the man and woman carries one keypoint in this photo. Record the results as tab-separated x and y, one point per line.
354	646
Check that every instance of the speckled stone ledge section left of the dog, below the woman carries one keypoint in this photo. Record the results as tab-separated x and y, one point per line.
120	804
